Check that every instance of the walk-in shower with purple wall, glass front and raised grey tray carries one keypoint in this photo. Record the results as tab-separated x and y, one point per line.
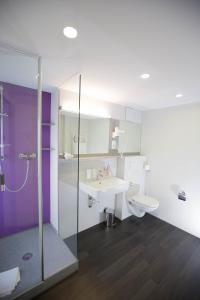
30	239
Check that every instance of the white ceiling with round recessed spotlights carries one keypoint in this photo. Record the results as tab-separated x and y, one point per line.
118	41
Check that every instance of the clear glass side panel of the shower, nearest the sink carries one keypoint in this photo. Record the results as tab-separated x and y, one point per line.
68	172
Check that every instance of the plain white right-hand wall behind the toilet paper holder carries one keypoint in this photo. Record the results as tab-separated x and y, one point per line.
171	143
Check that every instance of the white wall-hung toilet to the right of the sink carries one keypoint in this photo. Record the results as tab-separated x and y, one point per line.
138	204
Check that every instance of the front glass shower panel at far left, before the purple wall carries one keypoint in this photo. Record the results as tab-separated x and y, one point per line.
19	234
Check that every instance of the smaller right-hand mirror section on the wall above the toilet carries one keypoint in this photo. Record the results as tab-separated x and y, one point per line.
129	137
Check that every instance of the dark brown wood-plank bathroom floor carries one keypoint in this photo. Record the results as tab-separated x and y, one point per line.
139	259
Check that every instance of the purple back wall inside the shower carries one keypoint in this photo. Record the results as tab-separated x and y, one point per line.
19	211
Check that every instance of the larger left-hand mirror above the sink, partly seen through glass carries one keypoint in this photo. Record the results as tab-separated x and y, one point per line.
94	134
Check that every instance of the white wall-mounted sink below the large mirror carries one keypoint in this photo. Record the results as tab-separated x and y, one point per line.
111	185
